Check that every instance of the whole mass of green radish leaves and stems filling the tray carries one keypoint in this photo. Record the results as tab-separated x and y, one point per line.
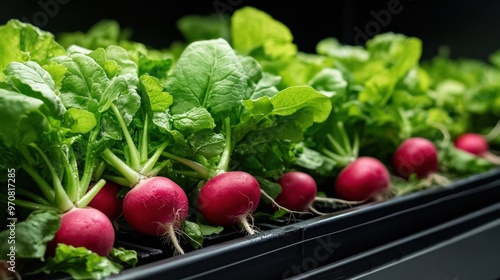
237	95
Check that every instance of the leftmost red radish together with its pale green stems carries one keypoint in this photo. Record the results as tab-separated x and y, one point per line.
81	226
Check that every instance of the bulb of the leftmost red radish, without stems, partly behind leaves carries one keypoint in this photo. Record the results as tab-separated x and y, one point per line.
85	227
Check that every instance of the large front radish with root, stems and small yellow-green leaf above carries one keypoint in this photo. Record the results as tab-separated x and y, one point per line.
154	205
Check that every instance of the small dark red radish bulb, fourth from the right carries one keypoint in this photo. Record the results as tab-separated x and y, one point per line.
298	191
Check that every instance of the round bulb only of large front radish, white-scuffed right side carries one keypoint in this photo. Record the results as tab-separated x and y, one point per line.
155	204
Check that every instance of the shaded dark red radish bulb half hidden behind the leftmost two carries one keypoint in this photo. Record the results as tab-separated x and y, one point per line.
107	200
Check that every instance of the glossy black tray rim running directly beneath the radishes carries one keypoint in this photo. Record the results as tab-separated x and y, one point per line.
308	245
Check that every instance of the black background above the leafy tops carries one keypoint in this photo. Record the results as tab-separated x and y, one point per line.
469	28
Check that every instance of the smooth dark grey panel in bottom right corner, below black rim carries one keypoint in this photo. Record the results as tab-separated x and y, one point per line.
463	248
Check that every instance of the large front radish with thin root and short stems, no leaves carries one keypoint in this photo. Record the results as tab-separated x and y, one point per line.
155	205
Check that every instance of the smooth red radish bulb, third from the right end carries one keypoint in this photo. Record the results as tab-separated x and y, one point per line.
362	179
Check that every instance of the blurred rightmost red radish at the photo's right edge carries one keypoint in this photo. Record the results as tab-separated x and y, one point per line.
477	145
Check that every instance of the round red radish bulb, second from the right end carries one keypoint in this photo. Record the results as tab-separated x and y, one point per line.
415	156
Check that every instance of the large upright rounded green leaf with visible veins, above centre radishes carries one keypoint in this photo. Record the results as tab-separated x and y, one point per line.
208	74
